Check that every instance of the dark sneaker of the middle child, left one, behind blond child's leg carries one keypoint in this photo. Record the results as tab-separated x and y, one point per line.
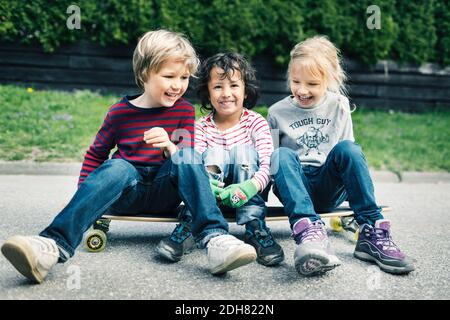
180	242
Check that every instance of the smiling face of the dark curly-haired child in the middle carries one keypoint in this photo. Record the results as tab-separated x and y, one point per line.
226	92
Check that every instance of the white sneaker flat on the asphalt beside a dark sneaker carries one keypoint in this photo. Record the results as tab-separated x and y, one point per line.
226	253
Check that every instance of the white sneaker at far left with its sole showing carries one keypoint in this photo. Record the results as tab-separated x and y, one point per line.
32	256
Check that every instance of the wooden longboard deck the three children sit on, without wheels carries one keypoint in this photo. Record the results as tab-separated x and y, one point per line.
273	214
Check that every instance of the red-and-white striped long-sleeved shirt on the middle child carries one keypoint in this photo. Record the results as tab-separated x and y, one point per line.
252	129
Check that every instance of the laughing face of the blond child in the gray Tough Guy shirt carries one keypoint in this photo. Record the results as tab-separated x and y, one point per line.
306	87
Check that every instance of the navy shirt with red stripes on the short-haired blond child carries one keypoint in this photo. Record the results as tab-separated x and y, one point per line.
124	127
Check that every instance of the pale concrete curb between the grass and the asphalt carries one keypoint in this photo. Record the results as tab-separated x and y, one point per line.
73	169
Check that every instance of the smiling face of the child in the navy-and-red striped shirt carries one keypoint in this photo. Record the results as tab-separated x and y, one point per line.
165	86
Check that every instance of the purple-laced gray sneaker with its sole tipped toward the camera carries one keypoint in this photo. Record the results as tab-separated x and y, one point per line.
313	255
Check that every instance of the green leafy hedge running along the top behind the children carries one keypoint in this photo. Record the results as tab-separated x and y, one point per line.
409	32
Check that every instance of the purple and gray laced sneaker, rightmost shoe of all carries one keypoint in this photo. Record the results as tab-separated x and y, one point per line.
375	245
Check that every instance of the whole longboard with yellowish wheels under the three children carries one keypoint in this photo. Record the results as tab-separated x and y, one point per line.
341	219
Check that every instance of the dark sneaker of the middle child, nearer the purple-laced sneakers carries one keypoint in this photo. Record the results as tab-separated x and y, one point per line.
269	253
